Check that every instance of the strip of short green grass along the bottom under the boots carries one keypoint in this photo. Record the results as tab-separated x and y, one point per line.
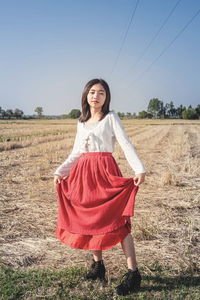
68	283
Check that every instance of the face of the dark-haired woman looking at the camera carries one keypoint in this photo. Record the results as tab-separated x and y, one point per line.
96	96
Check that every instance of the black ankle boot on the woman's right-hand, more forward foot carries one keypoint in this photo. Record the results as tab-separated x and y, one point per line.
131	282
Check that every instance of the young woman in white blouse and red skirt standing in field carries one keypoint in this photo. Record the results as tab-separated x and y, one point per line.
95	200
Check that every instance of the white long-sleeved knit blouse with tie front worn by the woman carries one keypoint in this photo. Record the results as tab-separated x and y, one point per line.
101	138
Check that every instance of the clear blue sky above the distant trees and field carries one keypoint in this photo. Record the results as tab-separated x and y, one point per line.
51	48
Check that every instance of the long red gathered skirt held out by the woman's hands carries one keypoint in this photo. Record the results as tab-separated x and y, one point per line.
95	203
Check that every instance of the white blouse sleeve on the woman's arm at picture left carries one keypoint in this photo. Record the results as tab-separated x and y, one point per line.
64	168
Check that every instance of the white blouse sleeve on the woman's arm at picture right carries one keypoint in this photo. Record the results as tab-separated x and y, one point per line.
127	146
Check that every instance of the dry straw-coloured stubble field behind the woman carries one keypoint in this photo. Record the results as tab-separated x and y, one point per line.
167	215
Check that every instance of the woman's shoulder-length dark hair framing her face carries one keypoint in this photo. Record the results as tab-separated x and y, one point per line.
86	114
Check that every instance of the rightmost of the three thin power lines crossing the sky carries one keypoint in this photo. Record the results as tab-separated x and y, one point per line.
168	46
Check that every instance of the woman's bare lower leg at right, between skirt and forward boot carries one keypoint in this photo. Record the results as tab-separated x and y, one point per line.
129	251
